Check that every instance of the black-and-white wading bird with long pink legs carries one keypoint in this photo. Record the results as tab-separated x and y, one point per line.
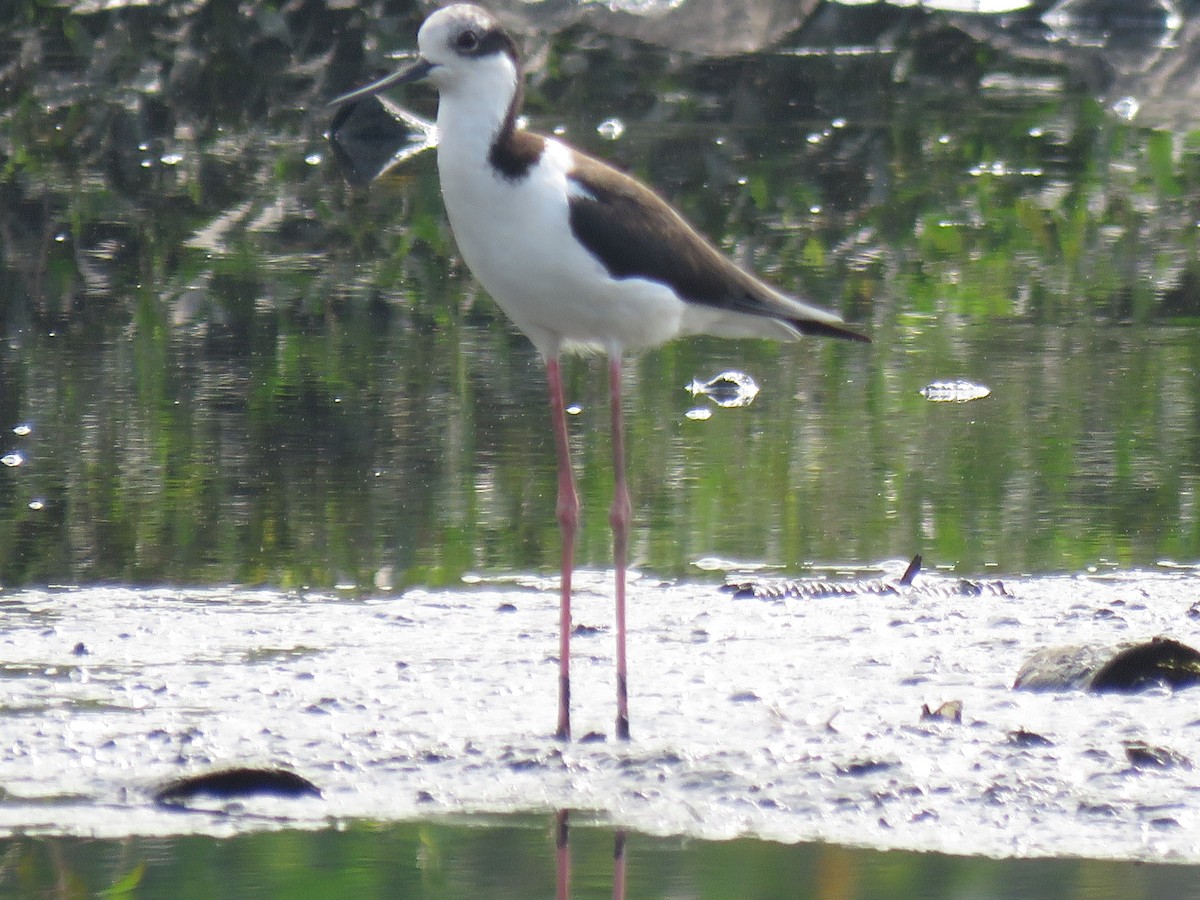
581	257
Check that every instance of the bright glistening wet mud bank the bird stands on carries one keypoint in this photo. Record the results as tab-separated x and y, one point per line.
789	722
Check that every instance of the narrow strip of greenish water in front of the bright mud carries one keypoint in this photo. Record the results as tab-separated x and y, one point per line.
501	859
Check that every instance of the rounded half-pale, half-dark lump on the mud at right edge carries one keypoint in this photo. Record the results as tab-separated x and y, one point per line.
1126	669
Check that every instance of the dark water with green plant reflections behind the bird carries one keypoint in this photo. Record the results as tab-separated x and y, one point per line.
223	364
